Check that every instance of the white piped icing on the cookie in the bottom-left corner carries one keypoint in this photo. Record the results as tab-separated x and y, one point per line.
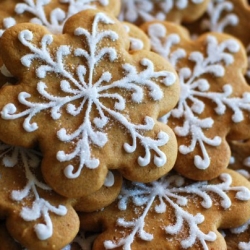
12	157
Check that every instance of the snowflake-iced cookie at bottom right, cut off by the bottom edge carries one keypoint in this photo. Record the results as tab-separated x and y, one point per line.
171	213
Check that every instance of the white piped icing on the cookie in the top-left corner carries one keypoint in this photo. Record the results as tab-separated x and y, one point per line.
57	16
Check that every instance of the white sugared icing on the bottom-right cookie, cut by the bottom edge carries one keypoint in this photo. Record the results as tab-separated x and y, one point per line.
171	191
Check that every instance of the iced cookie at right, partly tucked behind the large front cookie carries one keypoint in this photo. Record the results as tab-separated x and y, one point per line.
215	98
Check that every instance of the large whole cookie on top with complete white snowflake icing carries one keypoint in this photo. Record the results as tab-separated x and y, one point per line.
89	102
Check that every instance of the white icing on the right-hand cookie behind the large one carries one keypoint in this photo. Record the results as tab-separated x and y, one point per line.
195	87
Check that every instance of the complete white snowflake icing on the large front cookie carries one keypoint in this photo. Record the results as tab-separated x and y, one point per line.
79	85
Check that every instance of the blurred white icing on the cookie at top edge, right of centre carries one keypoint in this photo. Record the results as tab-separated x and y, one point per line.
147	10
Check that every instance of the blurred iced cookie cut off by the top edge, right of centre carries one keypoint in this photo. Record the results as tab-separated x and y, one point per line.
139	11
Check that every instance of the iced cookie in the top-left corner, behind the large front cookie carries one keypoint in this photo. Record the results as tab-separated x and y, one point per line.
49	13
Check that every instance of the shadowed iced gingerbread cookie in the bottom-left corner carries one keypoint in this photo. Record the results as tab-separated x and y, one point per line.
28	202
